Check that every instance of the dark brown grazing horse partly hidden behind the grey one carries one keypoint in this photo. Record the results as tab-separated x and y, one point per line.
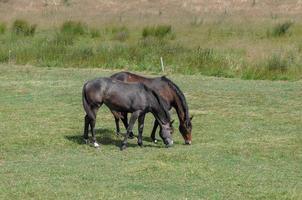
169	92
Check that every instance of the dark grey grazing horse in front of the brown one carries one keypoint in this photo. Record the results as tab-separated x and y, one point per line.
133	98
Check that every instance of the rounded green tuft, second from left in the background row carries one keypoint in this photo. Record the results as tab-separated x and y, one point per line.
74	28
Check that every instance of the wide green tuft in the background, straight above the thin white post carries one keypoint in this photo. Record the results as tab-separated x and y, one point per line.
159	31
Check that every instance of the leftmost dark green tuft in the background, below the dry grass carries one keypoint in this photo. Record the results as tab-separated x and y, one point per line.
22	27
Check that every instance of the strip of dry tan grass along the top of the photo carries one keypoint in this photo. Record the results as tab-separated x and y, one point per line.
136	12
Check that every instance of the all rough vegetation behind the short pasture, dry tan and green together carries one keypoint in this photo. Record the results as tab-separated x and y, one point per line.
245	39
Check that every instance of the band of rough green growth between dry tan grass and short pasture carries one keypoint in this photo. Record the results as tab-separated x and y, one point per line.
214	48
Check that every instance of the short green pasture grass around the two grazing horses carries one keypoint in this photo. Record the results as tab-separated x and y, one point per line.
247	141
